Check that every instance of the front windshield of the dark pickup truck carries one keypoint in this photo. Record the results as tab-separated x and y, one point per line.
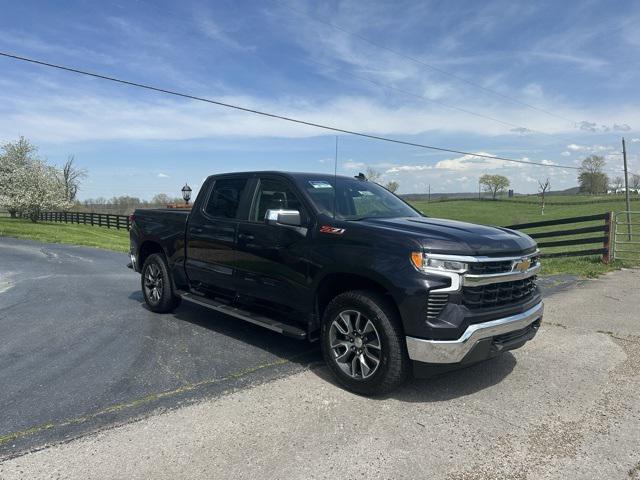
355	199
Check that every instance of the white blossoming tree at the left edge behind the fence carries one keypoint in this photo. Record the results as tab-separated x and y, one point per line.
27	184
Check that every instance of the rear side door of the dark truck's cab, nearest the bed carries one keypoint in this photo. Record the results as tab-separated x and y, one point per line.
212	235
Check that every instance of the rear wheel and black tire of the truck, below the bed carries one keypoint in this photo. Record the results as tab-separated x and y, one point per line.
156	284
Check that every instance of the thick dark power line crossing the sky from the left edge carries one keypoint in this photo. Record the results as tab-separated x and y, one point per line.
280	117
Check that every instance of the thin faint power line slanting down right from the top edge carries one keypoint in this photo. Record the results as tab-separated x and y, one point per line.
428	65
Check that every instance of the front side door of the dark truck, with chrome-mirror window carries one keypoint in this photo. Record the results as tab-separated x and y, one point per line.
273	260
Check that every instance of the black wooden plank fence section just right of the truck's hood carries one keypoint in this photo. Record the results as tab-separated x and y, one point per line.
598	225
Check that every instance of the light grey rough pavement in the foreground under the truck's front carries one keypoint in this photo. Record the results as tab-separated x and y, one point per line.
565	406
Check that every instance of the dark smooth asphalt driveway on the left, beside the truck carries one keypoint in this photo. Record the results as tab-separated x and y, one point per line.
78	350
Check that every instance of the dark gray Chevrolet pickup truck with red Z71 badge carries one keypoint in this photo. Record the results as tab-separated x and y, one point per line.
387	291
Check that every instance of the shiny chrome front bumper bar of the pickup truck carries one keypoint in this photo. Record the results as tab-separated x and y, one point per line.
454	351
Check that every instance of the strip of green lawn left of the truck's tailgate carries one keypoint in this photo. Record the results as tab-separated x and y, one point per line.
100	237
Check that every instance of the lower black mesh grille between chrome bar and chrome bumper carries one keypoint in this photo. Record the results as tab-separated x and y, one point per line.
499	294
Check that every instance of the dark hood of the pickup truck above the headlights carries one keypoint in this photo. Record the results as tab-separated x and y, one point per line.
453	237
